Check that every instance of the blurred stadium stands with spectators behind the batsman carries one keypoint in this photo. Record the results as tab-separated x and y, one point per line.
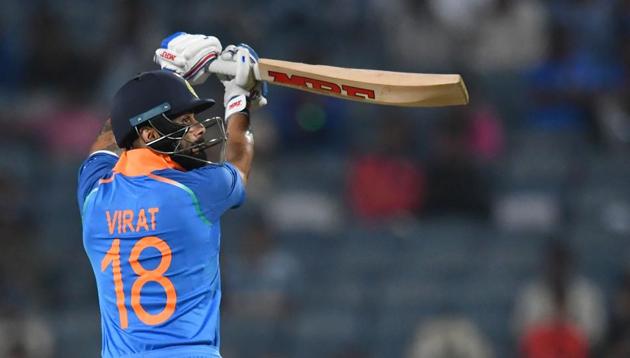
483	231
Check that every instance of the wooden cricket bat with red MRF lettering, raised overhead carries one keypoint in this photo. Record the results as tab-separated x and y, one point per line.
367	86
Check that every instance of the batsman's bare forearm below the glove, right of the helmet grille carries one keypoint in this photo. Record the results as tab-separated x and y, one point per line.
240	144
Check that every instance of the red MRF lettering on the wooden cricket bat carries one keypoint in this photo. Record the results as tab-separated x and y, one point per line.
322	86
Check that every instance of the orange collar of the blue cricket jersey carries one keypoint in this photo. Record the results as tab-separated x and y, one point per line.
143	161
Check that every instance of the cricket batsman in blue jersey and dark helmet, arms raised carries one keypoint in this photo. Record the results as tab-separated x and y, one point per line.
151	200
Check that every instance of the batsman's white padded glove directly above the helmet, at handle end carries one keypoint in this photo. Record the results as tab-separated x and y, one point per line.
188	55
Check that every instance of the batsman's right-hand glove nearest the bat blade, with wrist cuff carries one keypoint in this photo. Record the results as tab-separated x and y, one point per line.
243	88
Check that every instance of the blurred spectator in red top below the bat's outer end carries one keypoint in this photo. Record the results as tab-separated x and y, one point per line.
387	183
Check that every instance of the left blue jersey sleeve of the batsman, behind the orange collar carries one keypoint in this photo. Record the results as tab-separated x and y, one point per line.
94	168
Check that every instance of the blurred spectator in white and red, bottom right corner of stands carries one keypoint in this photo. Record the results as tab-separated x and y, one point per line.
559	304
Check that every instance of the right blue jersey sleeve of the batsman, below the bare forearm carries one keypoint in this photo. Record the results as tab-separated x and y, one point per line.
218	188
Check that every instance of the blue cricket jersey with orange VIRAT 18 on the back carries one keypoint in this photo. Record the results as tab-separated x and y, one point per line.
151	231
